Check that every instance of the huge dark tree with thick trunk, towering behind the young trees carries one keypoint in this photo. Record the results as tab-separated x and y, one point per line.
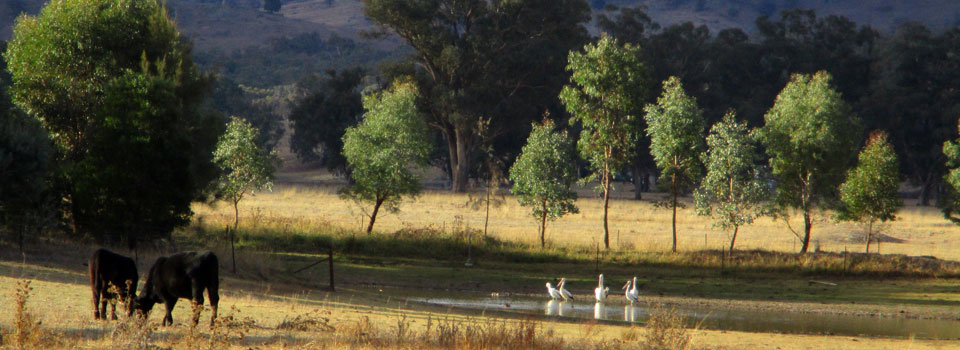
496	59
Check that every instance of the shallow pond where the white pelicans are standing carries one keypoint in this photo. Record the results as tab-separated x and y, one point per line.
704	318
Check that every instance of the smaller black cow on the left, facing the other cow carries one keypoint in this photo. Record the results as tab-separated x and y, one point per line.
111	269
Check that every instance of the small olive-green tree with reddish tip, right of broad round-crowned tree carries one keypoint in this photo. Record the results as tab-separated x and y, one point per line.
870	193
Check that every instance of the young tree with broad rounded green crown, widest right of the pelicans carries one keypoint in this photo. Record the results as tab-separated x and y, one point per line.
810	136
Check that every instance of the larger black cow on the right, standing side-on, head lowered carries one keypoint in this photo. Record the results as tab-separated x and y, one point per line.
182	275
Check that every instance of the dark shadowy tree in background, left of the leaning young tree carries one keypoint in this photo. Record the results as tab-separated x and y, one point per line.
327	106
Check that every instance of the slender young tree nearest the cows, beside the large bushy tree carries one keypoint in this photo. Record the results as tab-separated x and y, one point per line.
246	167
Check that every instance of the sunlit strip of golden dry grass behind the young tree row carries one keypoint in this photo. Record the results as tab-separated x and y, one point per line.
633	224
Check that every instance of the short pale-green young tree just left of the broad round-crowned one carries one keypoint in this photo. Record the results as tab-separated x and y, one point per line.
733	190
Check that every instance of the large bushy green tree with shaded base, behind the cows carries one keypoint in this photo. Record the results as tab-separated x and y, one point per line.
114	86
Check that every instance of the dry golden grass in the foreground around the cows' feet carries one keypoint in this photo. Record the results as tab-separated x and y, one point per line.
253	315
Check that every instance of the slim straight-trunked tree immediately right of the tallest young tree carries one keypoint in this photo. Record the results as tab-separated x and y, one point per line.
675	126
